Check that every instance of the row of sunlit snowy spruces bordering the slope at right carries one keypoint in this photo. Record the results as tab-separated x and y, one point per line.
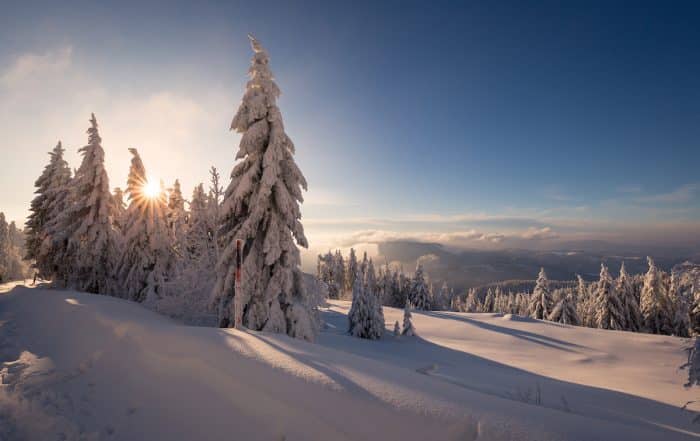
657	302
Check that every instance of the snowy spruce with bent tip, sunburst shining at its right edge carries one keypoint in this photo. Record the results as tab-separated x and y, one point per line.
146	264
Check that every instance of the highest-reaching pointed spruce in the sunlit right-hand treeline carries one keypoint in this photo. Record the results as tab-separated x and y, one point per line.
654	302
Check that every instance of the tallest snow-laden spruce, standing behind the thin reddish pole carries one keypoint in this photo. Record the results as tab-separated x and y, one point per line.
261	208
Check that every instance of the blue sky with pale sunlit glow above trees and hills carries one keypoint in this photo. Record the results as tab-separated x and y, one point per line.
484	124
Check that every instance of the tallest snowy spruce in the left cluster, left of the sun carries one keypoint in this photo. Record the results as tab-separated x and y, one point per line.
88	222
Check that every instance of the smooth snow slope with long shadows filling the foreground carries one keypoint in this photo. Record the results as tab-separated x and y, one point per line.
81	366
